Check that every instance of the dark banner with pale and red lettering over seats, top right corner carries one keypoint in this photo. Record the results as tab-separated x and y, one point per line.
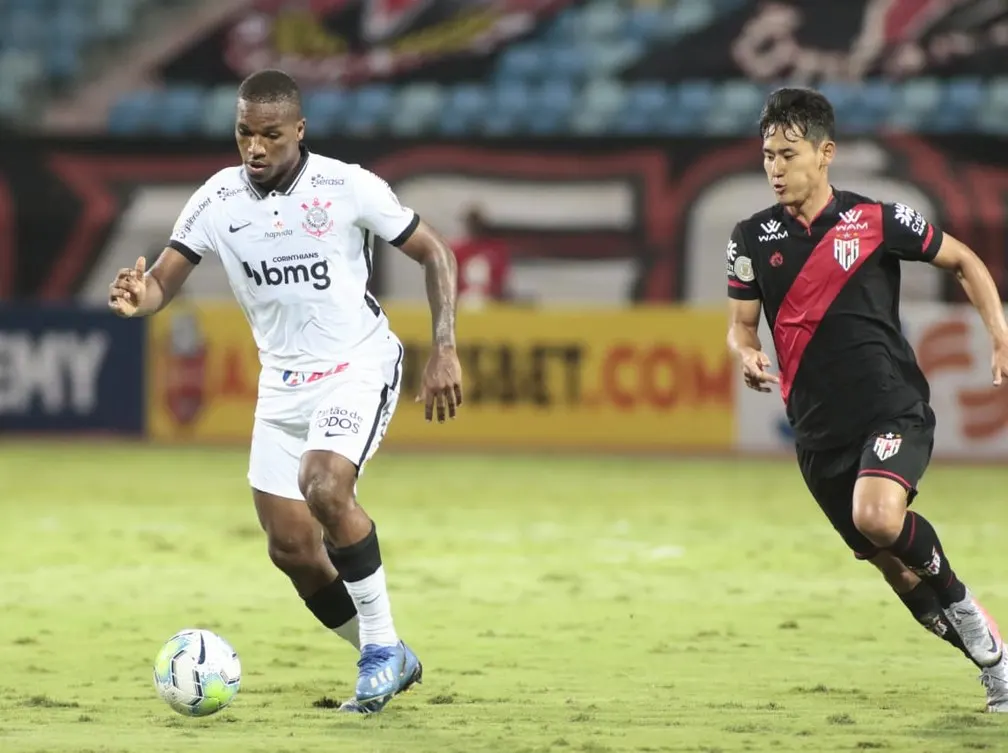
813	41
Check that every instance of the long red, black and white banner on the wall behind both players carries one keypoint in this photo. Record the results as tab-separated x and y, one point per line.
664	209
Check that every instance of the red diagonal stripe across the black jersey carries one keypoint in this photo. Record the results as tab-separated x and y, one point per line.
816	289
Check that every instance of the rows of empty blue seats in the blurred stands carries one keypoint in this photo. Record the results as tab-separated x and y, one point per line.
582	70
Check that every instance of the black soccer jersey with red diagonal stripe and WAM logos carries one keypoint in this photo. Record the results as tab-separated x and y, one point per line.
830	293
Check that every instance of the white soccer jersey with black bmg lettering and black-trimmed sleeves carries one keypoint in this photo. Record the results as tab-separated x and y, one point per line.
299	259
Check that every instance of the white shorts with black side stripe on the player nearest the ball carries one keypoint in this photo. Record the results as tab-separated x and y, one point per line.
345	411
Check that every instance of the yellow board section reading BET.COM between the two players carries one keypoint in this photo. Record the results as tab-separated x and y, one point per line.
648	380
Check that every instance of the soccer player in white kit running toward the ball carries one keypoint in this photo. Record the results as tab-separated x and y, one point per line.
295	233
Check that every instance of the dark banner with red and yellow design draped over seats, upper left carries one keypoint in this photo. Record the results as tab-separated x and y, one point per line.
353	42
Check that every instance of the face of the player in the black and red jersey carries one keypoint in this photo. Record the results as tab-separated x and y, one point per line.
795	167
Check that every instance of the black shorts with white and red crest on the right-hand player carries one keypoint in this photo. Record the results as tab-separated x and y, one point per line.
899	449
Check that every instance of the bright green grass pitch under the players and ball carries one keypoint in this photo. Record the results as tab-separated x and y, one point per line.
558	604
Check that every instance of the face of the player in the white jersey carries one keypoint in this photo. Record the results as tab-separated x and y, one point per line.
269	137
